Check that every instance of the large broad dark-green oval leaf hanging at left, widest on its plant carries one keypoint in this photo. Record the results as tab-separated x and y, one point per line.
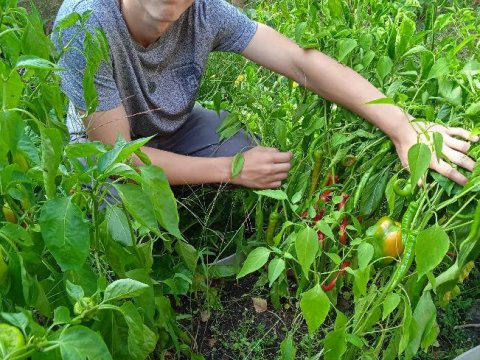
65	233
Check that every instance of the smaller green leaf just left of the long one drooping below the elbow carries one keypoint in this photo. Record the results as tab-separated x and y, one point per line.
138	205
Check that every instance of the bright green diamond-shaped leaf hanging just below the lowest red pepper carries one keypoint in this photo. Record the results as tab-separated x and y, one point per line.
315	306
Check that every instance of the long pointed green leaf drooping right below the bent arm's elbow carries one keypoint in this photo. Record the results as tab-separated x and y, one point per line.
155	185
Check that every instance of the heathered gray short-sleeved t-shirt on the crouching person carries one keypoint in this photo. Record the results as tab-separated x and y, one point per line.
156	85
